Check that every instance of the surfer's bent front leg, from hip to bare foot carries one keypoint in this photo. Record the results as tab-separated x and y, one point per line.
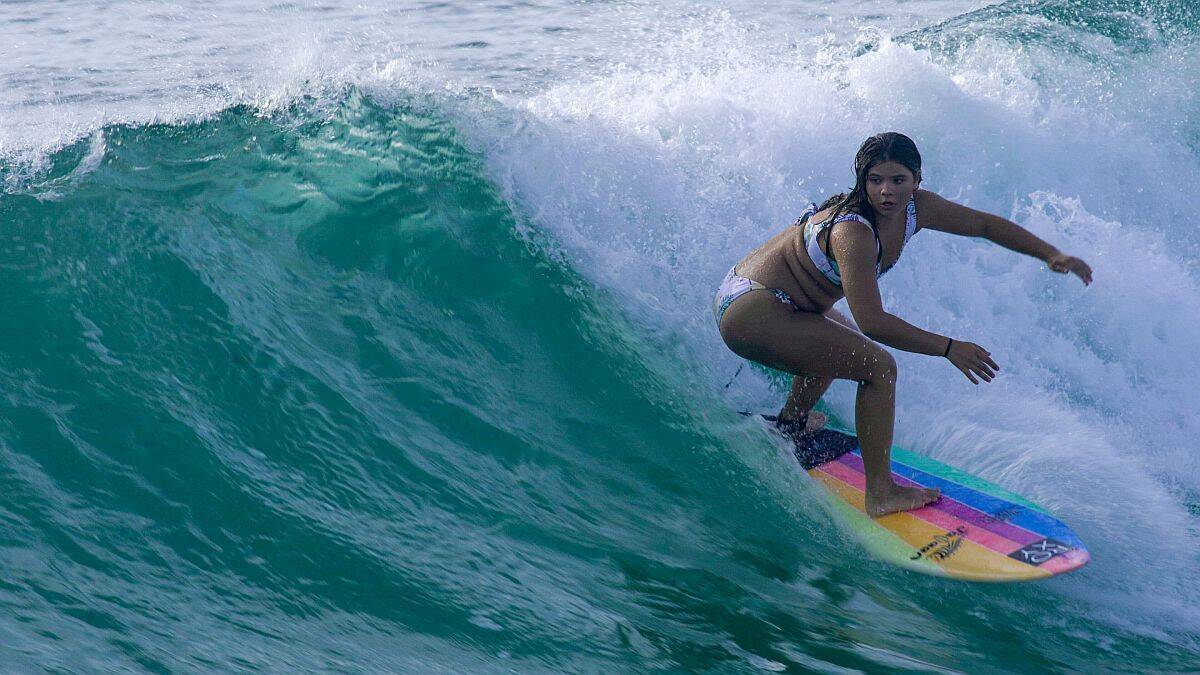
760	328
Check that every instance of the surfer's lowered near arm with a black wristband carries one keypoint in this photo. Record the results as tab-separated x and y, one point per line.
854	247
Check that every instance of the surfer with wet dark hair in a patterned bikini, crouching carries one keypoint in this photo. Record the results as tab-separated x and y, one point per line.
776	307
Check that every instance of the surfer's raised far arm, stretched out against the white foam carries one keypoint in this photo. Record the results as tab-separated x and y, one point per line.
941	214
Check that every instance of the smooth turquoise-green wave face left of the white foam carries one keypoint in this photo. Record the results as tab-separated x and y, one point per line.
295	391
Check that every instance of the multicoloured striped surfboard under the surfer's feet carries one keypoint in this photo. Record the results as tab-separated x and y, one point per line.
976	531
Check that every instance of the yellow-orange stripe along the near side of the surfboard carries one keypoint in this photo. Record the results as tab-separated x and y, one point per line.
957	555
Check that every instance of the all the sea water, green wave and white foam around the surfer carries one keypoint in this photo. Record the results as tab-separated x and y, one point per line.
376	337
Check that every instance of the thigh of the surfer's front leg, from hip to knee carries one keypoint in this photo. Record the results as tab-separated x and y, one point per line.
760	328
